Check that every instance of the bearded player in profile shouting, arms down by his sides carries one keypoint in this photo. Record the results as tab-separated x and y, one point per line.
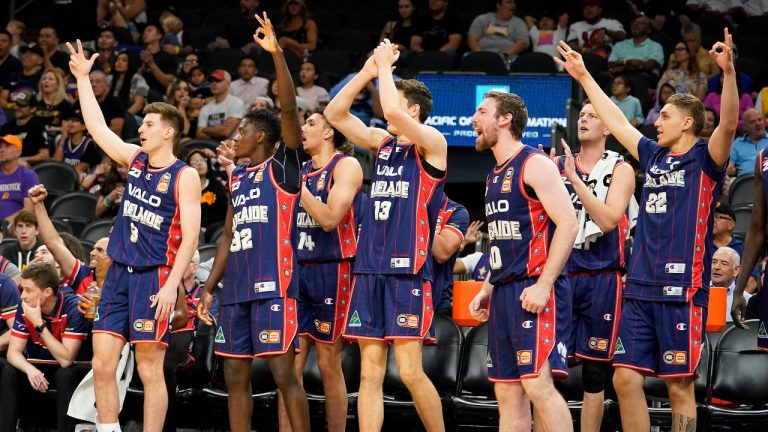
532	226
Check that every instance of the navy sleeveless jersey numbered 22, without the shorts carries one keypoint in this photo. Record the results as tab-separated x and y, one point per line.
673	243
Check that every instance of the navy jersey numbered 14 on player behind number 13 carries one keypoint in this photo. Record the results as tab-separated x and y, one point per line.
313	244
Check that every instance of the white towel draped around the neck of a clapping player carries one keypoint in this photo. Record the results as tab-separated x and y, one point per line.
589	231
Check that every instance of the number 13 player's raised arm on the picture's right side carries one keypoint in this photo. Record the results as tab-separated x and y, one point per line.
428	139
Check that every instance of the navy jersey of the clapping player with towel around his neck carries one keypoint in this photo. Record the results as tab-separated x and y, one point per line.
605	254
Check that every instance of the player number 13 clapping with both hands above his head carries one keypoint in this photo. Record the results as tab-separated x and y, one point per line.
392	291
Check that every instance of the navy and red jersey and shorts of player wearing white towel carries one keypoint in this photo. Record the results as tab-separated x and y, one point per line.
594	271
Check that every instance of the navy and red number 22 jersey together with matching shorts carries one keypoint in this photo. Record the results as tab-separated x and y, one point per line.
667	290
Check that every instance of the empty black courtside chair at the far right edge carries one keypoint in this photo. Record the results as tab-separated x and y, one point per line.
739	376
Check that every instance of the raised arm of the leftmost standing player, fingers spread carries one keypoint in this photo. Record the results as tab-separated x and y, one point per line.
112	144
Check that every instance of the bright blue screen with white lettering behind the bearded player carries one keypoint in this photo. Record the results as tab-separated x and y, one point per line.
456	96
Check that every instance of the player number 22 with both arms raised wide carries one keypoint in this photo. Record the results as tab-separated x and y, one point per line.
667	291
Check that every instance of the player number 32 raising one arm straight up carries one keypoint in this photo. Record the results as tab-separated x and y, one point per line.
257	307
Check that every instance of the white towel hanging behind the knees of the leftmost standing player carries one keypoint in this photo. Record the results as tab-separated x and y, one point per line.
83	403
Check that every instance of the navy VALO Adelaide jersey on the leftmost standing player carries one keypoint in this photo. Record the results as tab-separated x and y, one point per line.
147	229
